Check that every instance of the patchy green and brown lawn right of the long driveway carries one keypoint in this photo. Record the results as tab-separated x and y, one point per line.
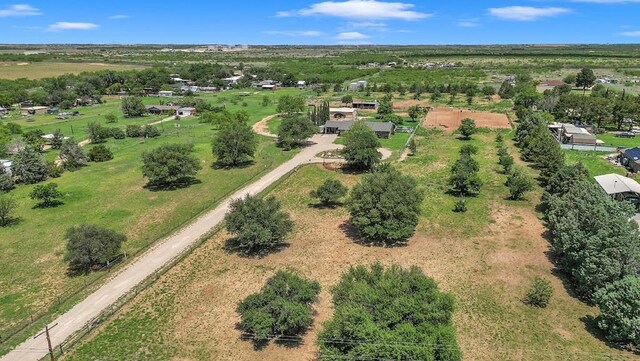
486	258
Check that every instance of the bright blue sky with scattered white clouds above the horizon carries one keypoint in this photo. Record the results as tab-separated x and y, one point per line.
320	22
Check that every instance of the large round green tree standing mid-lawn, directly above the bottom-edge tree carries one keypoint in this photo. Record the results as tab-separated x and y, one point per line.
385	206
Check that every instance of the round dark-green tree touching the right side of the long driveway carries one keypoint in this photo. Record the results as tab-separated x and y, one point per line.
259	225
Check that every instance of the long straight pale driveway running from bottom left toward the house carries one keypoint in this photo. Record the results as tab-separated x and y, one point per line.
162	253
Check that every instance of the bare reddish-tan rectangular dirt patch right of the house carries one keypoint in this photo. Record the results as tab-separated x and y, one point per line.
450	118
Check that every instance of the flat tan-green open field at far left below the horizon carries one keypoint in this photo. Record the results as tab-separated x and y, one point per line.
38	70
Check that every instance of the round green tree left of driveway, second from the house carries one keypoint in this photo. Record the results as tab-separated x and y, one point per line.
234	144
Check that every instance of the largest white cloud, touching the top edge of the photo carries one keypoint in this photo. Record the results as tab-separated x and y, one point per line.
360	9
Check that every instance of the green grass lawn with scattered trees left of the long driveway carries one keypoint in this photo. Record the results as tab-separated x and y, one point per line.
111	194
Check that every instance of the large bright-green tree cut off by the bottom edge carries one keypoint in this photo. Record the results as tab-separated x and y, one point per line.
389	314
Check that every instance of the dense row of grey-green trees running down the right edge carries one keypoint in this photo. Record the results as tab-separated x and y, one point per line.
593	236
